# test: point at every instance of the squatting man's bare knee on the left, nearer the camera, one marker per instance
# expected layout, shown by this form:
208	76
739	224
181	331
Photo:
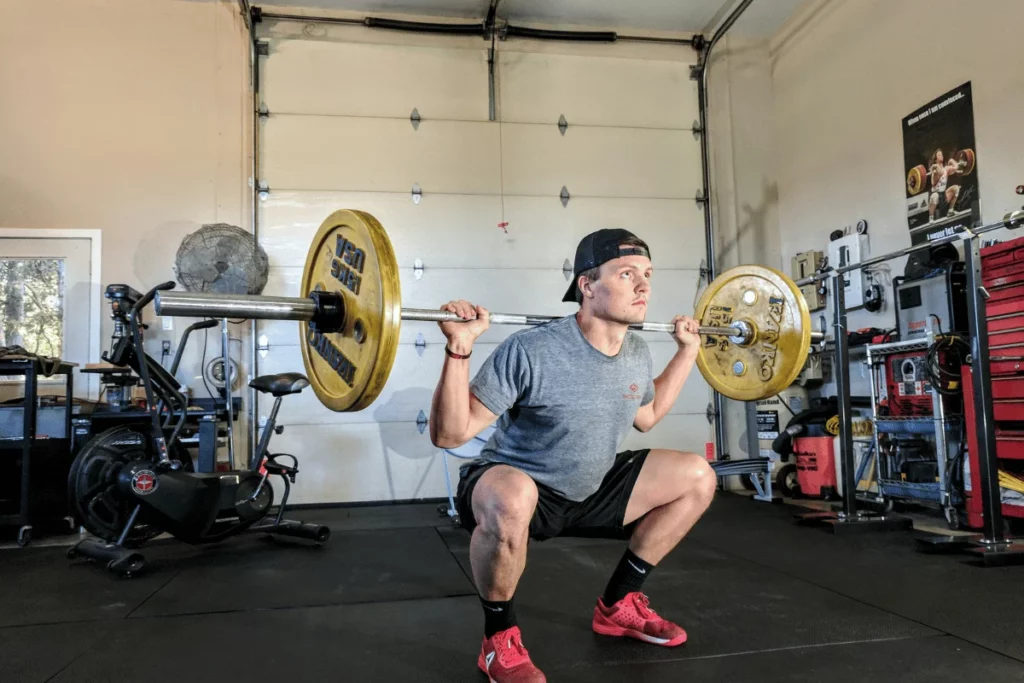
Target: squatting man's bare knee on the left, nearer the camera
504	501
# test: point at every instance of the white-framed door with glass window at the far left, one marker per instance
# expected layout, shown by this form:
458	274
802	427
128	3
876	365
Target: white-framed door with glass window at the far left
47	306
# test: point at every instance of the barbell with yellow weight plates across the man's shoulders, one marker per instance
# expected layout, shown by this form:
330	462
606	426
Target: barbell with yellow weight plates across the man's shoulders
754	320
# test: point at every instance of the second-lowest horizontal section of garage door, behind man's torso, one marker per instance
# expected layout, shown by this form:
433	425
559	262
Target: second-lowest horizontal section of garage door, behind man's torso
411	387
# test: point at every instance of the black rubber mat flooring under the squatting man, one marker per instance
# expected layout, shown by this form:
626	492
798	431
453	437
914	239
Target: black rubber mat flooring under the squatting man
389	599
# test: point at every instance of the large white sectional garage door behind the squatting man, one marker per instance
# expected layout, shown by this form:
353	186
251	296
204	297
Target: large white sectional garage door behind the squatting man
490	227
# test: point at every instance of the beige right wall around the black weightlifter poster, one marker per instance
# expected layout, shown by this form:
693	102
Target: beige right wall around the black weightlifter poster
846	73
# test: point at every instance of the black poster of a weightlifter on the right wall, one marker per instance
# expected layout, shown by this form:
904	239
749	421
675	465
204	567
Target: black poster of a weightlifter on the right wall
942	167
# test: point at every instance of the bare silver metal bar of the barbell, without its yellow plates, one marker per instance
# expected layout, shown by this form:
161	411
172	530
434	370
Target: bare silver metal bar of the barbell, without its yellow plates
193	305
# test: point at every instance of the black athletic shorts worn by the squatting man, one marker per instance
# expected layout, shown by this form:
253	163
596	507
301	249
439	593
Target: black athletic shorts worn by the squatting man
602	516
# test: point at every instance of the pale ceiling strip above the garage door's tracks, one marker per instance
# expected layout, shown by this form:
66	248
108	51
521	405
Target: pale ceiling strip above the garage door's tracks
762	18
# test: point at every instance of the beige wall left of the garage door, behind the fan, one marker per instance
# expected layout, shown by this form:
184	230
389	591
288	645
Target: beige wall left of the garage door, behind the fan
129	117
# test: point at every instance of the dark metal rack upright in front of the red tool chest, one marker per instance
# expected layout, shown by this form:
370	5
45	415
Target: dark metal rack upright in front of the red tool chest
984	414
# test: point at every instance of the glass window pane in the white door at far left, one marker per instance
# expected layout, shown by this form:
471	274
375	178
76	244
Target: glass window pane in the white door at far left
32	312
